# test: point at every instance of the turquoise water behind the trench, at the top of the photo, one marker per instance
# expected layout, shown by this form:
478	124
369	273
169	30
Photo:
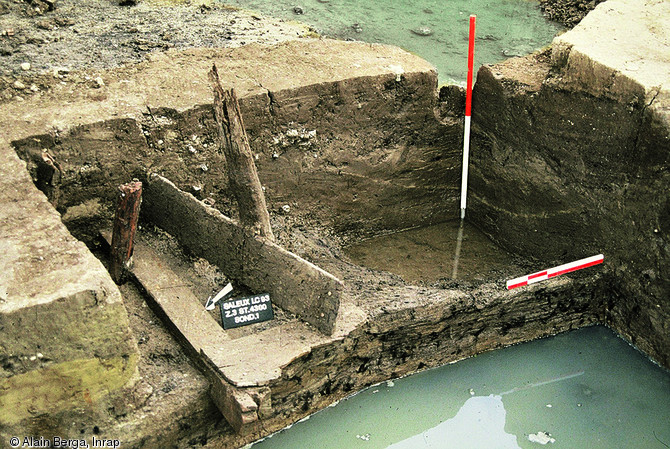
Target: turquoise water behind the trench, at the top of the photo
504	27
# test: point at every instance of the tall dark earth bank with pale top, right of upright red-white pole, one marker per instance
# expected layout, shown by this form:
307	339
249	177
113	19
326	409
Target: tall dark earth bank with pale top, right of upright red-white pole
582	141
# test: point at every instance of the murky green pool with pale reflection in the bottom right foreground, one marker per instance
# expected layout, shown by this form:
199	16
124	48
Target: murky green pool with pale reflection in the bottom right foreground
585	388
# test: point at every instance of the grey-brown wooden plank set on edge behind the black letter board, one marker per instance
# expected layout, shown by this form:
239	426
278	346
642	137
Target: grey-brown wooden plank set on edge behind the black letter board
295	284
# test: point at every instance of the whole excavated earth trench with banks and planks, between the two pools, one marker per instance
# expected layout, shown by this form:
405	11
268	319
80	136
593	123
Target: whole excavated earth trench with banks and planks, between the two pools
570	157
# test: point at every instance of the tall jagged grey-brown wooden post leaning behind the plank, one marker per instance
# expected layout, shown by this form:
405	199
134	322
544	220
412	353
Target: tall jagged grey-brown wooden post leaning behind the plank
241	168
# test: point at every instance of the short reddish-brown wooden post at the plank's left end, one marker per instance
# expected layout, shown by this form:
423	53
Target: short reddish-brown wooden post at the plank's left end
125	224
